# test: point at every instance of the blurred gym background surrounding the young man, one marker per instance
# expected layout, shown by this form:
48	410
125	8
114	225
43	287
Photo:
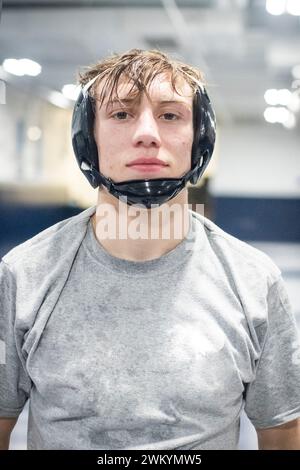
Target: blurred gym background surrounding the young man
249	51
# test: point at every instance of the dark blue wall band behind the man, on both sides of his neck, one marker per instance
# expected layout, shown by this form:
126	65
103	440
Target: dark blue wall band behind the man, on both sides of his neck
249	219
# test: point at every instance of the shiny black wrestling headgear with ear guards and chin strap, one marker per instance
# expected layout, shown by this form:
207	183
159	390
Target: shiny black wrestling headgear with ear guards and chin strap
142	191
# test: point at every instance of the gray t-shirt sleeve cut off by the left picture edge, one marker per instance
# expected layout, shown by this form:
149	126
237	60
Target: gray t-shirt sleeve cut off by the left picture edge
15	383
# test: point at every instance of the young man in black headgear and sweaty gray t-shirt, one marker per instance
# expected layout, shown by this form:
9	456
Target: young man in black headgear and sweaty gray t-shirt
140	324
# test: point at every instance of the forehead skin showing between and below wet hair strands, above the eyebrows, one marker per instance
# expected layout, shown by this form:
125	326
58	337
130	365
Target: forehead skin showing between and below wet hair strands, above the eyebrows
159	89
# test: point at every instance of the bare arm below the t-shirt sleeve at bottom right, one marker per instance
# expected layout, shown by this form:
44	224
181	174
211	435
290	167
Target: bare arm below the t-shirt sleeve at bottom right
283	437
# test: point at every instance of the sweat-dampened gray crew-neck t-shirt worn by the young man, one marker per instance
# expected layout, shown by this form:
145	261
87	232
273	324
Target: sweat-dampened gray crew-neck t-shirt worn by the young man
161	354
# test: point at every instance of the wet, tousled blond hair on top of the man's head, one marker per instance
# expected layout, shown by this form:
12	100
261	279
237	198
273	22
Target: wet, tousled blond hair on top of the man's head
139	67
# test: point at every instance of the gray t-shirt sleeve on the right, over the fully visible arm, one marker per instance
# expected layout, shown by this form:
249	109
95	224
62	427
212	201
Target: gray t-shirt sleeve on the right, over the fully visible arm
273	398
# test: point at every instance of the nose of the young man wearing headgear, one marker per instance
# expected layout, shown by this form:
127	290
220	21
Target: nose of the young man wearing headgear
146	132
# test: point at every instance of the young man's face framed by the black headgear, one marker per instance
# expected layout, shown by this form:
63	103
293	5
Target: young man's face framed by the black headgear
146	137
